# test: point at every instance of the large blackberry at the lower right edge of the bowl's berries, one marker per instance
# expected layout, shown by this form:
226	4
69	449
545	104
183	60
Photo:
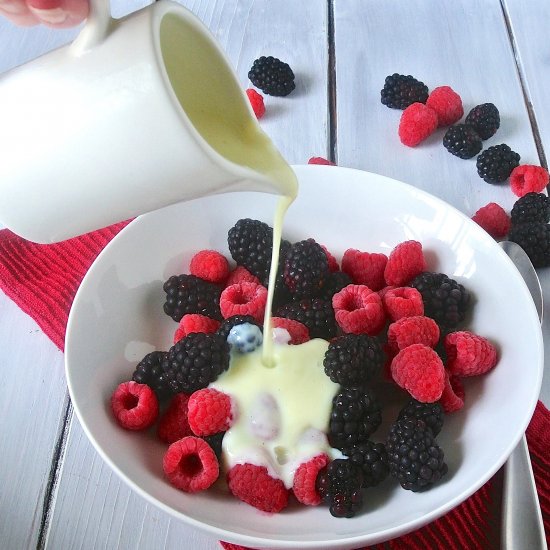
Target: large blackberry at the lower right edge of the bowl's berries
414	458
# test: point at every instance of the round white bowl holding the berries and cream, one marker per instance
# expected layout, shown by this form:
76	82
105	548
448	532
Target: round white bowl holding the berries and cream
117	317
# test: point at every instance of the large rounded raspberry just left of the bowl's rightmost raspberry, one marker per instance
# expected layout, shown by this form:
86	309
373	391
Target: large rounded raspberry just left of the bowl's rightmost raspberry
419	370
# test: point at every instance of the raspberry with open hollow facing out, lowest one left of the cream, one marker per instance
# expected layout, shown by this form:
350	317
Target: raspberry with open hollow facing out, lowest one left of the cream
191	465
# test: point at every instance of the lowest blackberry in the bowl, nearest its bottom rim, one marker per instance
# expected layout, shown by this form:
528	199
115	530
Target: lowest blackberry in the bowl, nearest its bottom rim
339	485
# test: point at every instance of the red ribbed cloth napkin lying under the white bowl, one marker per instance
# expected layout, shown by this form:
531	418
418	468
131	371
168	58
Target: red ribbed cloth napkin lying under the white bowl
43	279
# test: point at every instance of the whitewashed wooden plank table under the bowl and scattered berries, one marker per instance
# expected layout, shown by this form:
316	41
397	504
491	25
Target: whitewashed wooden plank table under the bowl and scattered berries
55	491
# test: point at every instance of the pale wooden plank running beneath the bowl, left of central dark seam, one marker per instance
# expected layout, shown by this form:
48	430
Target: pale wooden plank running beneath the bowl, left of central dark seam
93	508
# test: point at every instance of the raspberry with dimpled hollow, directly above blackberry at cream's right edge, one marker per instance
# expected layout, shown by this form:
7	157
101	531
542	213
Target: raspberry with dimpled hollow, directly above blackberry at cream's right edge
359	310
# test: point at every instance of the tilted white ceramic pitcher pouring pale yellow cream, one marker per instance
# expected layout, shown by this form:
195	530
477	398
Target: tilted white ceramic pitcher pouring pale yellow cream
136	114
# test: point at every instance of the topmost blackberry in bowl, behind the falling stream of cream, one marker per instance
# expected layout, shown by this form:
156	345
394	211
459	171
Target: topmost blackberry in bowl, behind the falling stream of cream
251	244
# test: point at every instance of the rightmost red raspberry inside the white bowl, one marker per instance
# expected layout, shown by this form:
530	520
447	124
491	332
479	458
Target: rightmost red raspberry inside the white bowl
469	354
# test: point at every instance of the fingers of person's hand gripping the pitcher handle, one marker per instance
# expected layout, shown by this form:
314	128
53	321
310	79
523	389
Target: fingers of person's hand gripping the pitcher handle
52	13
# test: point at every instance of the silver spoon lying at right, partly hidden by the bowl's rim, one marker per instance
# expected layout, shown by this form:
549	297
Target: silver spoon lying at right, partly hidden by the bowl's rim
522	526
